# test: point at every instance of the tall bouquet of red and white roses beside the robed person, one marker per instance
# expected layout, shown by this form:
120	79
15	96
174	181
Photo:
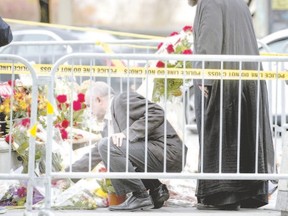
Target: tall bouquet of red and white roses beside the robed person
176	43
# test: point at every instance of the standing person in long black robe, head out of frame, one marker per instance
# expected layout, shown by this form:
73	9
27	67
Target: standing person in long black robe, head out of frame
225	27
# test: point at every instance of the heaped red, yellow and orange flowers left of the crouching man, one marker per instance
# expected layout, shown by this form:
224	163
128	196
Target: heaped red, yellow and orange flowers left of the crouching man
18	135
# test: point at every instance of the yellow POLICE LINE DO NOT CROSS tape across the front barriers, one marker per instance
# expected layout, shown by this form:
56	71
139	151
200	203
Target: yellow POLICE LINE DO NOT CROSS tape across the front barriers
112	71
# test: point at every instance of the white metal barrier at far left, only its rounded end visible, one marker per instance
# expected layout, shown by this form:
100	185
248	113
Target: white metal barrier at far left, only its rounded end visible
9	163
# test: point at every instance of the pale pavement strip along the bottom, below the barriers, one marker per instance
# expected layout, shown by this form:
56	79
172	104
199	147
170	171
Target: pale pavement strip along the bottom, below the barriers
155	212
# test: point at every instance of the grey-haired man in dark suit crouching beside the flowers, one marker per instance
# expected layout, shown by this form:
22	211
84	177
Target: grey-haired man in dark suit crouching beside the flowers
136	124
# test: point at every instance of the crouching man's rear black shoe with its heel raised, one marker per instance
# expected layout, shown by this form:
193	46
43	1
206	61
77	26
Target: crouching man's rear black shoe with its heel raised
159	196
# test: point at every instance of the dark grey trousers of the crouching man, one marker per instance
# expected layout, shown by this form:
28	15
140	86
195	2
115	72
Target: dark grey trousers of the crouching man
135	163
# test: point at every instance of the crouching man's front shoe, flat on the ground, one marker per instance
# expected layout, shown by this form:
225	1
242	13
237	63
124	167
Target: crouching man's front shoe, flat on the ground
133	203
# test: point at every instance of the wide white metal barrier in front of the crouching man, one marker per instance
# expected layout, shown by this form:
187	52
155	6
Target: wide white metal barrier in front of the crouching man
276	72
